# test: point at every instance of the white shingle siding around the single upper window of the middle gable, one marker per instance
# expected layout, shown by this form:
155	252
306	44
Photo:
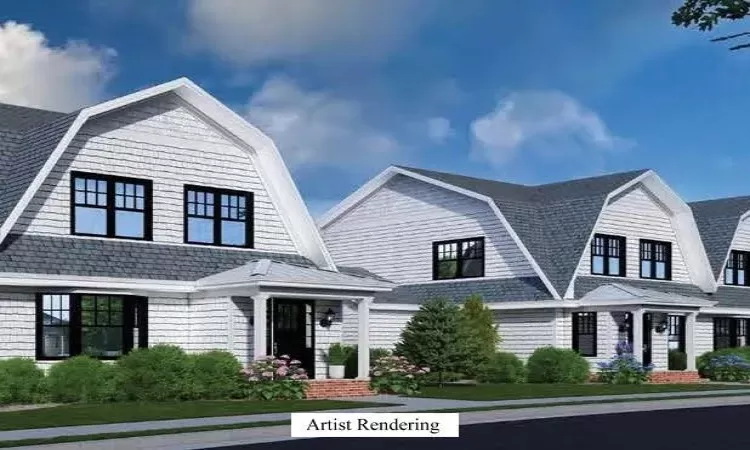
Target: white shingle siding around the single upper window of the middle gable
391	232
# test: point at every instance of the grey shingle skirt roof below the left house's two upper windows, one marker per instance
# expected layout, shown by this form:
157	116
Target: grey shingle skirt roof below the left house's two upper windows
123	259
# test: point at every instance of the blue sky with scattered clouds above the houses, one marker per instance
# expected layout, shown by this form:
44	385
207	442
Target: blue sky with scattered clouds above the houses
529	92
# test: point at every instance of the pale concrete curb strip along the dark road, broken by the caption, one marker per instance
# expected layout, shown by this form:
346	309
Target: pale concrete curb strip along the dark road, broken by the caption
248	436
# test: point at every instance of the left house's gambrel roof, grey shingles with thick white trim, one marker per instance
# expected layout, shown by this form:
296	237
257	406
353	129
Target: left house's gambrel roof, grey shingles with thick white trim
33	140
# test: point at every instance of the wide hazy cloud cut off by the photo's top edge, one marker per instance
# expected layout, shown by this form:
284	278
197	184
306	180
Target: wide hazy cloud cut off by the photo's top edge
246	32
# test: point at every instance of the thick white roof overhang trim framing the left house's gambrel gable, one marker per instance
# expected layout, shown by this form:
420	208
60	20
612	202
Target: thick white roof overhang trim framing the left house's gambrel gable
262	150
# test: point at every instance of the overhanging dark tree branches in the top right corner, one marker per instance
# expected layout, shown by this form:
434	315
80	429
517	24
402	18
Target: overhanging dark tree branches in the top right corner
706	14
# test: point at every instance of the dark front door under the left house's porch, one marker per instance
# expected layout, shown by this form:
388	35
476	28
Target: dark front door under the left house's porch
292	331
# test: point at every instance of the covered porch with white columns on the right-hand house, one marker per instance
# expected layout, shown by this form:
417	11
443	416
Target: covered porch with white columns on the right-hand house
652	322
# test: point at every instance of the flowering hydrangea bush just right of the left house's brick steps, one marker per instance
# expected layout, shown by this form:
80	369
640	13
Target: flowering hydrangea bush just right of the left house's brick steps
396	375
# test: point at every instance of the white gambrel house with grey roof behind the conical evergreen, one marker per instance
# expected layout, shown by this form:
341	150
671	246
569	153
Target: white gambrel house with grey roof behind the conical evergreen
580	264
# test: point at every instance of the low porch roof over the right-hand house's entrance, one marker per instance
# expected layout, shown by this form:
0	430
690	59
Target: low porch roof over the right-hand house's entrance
623	294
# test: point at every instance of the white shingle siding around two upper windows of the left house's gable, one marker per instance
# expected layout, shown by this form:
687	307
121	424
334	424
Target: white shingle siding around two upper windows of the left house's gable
164	141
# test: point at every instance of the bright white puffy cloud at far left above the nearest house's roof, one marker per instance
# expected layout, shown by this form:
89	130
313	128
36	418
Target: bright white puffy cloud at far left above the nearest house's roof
59	78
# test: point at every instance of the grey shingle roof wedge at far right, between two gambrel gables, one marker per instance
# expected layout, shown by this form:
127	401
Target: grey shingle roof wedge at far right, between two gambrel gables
717	222
